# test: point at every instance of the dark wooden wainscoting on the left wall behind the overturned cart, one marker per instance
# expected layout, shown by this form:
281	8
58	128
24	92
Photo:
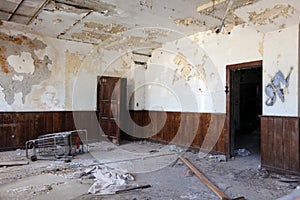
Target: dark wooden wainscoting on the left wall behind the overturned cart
18	127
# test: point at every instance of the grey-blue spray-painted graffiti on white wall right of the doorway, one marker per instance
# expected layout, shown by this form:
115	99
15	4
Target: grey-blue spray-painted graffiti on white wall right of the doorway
277	87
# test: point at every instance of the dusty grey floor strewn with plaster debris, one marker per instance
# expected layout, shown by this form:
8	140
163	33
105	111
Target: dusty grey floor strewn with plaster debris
150	164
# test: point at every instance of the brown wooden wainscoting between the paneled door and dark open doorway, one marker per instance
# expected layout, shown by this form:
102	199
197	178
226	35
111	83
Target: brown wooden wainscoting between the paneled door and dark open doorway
182	128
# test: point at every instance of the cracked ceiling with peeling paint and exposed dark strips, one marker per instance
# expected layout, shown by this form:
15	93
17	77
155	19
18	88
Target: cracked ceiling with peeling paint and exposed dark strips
155	21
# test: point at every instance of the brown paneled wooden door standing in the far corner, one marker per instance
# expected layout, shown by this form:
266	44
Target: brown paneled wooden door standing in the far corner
111	106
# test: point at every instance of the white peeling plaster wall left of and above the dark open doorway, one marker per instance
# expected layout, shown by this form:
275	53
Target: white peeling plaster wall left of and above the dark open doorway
189	74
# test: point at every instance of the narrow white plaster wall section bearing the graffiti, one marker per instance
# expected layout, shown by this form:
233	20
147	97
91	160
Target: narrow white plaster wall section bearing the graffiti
281	54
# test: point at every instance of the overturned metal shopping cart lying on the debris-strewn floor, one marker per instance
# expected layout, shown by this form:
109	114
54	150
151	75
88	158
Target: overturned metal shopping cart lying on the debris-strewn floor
60	145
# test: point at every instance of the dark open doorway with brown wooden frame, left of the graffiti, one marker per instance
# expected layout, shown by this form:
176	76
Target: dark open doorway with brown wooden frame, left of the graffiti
244	106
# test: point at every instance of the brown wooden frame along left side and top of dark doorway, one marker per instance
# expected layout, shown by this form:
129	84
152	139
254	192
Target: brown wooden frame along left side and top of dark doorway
227	131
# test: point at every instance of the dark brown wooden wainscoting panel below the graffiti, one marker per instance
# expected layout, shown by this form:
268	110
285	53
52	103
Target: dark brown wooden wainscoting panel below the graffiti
280	144
